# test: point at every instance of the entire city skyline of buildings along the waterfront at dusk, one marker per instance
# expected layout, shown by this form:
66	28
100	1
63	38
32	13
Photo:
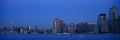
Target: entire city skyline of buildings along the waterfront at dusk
103	25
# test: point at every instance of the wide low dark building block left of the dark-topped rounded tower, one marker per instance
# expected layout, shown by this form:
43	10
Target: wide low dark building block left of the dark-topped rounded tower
86	28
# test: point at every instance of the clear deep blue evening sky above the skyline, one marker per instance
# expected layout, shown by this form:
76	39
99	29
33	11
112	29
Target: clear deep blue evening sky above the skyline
42	12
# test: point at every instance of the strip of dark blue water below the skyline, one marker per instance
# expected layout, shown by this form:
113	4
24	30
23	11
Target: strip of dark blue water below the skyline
59	36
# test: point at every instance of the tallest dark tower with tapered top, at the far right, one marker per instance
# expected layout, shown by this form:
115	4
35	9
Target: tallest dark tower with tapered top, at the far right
113	19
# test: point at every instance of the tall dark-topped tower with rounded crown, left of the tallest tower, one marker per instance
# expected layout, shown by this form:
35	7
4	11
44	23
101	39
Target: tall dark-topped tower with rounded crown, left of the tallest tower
102	23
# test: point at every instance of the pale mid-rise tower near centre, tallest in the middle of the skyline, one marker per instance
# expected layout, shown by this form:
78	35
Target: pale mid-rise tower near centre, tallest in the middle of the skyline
58	25
